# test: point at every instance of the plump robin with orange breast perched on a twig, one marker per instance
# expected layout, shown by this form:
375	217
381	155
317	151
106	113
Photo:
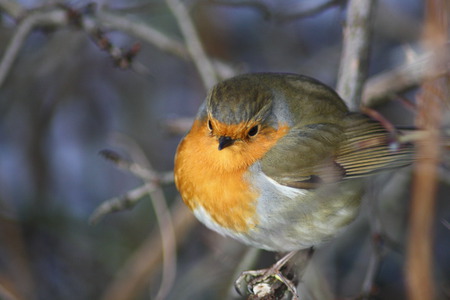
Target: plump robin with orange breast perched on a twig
278	162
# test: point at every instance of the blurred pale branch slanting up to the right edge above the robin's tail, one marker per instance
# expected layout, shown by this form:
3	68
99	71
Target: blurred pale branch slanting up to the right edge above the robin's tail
386	86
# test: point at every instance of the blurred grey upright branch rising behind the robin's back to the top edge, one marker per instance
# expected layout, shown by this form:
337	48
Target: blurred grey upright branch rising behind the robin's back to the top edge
355	51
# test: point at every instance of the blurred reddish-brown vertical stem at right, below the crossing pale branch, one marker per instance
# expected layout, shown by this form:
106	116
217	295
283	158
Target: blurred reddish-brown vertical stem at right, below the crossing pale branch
419	259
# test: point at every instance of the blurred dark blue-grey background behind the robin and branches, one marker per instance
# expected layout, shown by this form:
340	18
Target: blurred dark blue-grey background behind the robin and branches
64	100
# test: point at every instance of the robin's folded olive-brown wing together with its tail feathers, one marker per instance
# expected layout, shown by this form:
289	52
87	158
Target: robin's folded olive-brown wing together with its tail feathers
318	153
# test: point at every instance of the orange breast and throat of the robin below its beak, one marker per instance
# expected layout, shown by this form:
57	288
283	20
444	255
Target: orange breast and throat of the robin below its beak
214	179
